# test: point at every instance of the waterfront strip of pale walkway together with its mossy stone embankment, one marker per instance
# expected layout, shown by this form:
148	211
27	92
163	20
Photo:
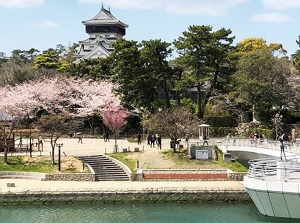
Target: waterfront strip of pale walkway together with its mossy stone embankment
33	192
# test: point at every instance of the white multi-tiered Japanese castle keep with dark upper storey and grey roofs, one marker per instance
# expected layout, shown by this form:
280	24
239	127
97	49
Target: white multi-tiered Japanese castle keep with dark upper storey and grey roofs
104	29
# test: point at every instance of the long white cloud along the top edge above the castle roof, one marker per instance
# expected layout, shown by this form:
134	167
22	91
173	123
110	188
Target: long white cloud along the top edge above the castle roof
181	7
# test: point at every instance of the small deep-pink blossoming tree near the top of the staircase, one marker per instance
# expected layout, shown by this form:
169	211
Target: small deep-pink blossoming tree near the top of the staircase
115	118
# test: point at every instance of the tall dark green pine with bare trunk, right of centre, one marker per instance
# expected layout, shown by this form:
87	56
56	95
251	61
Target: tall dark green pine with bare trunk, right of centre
203	55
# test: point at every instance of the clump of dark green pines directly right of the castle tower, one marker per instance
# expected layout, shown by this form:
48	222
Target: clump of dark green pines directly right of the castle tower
143	73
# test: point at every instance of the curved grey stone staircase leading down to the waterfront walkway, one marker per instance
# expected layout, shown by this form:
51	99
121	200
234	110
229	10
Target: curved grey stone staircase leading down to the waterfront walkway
105	168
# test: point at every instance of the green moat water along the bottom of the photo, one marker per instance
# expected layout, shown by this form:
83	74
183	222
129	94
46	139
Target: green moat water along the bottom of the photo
144	213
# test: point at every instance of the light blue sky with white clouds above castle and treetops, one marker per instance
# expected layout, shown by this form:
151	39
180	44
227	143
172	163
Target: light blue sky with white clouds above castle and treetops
43	24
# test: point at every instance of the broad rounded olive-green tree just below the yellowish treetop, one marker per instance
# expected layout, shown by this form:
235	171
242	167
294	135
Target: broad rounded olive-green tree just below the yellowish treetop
265	83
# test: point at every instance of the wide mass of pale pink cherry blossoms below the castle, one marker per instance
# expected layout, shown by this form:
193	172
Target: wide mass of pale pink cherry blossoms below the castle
75	97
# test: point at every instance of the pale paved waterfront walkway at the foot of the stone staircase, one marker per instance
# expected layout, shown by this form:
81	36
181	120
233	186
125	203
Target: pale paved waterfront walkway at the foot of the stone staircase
22	185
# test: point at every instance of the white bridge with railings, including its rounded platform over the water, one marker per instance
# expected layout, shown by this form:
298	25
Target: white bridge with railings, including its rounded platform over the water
273	180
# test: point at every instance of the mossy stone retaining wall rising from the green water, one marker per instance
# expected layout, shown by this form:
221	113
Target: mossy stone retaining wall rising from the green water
118	197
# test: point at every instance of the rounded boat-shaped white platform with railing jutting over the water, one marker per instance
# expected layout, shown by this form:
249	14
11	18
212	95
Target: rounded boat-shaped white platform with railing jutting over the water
274	186
